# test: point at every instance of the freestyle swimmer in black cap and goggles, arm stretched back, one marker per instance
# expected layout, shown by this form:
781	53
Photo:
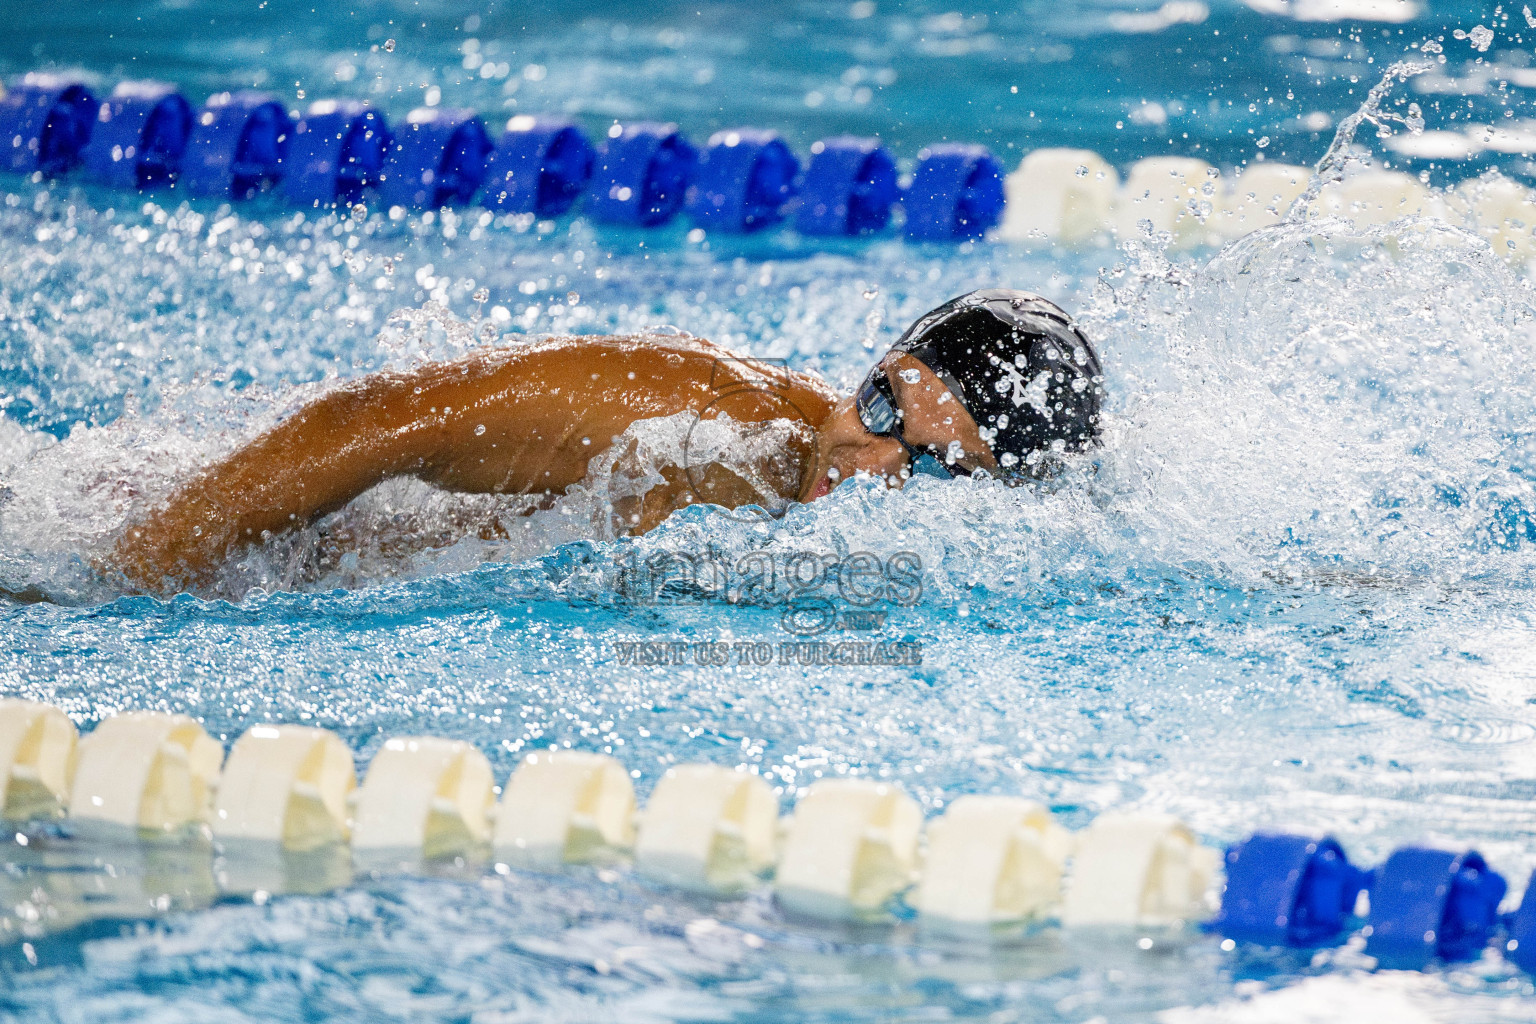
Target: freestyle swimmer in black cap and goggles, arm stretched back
996	382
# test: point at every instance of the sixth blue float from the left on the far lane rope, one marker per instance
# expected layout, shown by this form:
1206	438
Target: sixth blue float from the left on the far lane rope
541	167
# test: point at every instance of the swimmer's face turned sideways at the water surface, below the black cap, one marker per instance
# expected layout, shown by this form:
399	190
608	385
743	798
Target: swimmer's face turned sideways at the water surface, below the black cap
932	418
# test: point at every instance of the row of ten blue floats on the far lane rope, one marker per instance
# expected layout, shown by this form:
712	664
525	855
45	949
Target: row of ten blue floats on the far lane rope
342	151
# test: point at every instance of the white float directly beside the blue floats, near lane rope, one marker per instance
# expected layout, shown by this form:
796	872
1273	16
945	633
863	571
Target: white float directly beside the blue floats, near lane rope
1139	870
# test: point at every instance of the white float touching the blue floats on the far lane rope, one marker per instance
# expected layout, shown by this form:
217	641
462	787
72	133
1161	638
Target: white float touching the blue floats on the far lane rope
1064	196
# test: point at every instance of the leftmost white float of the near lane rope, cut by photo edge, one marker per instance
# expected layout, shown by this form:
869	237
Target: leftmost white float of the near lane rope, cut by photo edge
38	751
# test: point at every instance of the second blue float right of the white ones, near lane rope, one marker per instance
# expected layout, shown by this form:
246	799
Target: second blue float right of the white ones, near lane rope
1432	903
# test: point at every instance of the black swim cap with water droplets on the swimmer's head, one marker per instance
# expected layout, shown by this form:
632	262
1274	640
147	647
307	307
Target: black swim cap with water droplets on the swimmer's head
1022	369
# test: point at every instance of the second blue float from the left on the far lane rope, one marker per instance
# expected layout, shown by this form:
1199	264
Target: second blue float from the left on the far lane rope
141	137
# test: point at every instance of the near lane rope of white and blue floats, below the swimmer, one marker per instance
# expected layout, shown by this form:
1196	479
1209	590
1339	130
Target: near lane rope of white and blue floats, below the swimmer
853	850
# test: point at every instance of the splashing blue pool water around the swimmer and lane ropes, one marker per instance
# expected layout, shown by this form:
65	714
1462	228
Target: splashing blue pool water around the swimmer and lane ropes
1293	590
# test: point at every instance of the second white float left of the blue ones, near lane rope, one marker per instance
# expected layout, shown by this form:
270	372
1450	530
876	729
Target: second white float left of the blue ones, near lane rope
991	860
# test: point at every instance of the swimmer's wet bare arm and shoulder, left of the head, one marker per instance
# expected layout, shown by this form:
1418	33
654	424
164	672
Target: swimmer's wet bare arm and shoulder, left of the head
503	423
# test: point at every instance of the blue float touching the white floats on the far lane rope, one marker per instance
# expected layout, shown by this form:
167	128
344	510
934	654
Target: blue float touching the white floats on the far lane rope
956	194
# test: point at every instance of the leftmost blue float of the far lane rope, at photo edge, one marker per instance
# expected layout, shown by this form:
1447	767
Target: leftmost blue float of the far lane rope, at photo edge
45	122
